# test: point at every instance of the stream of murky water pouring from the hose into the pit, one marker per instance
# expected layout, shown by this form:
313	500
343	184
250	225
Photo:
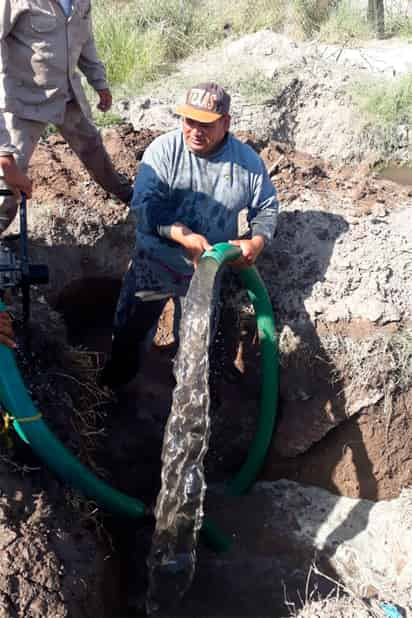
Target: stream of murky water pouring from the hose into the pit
179	508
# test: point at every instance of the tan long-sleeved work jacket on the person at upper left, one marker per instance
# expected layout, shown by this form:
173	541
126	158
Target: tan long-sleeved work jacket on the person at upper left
40	52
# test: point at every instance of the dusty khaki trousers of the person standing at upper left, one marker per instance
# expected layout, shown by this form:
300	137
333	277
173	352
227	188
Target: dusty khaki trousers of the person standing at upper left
85	140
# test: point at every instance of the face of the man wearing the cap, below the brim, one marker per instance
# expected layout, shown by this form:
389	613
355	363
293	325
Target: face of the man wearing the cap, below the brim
203	138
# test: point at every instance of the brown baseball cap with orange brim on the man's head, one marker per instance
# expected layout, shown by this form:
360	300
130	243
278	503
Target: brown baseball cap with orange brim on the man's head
205	102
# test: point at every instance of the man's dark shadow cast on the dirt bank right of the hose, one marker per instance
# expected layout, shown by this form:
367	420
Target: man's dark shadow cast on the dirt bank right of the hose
313	427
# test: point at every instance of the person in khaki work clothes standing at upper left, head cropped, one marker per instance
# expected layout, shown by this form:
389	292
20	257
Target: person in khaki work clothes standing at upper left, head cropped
42	44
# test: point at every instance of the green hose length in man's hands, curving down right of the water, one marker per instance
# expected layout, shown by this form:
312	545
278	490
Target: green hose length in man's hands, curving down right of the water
223	253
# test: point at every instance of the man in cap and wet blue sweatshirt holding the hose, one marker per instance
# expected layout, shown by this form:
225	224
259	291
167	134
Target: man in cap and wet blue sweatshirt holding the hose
196	186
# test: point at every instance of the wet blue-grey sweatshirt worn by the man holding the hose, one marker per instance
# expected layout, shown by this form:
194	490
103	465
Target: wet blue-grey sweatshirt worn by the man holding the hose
224	196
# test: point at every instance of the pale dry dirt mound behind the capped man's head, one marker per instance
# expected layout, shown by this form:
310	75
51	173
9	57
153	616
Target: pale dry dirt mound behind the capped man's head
296	93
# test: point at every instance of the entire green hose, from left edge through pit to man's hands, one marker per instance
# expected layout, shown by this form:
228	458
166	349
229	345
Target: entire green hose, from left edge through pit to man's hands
33	430
